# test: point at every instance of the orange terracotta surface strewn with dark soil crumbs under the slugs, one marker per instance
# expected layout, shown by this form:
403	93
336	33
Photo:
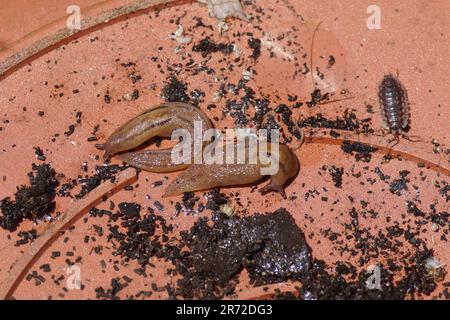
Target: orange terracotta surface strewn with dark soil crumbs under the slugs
358	202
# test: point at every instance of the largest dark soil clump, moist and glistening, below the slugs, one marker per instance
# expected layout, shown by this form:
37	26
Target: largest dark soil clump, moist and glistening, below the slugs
271	247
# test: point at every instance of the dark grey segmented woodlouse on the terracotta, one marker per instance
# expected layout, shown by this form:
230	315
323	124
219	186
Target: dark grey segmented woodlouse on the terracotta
394	105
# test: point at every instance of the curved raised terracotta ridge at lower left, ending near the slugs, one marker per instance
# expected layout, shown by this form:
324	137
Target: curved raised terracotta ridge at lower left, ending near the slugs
76	210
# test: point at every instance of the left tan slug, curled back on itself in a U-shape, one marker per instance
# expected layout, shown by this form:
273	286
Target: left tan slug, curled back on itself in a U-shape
160	121
